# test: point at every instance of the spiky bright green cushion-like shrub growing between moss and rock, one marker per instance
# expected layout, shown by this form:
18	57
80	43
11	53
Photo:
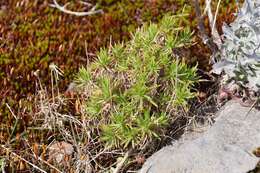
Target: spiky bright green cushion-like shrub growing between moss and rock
134	89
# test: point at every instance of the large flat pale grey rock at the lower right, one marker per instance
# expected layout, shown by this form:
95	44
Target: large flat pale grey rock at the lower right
226	147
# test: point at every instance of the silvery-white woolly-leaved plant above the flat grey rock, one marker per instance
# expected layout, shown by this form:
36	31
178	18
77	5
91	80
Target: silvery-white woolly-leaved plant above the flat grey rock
240	52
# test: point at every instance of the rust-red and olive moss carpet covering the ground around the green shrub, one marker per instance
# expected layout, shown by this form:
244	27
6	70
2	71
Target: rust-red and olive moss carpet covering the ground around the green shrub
33	35
